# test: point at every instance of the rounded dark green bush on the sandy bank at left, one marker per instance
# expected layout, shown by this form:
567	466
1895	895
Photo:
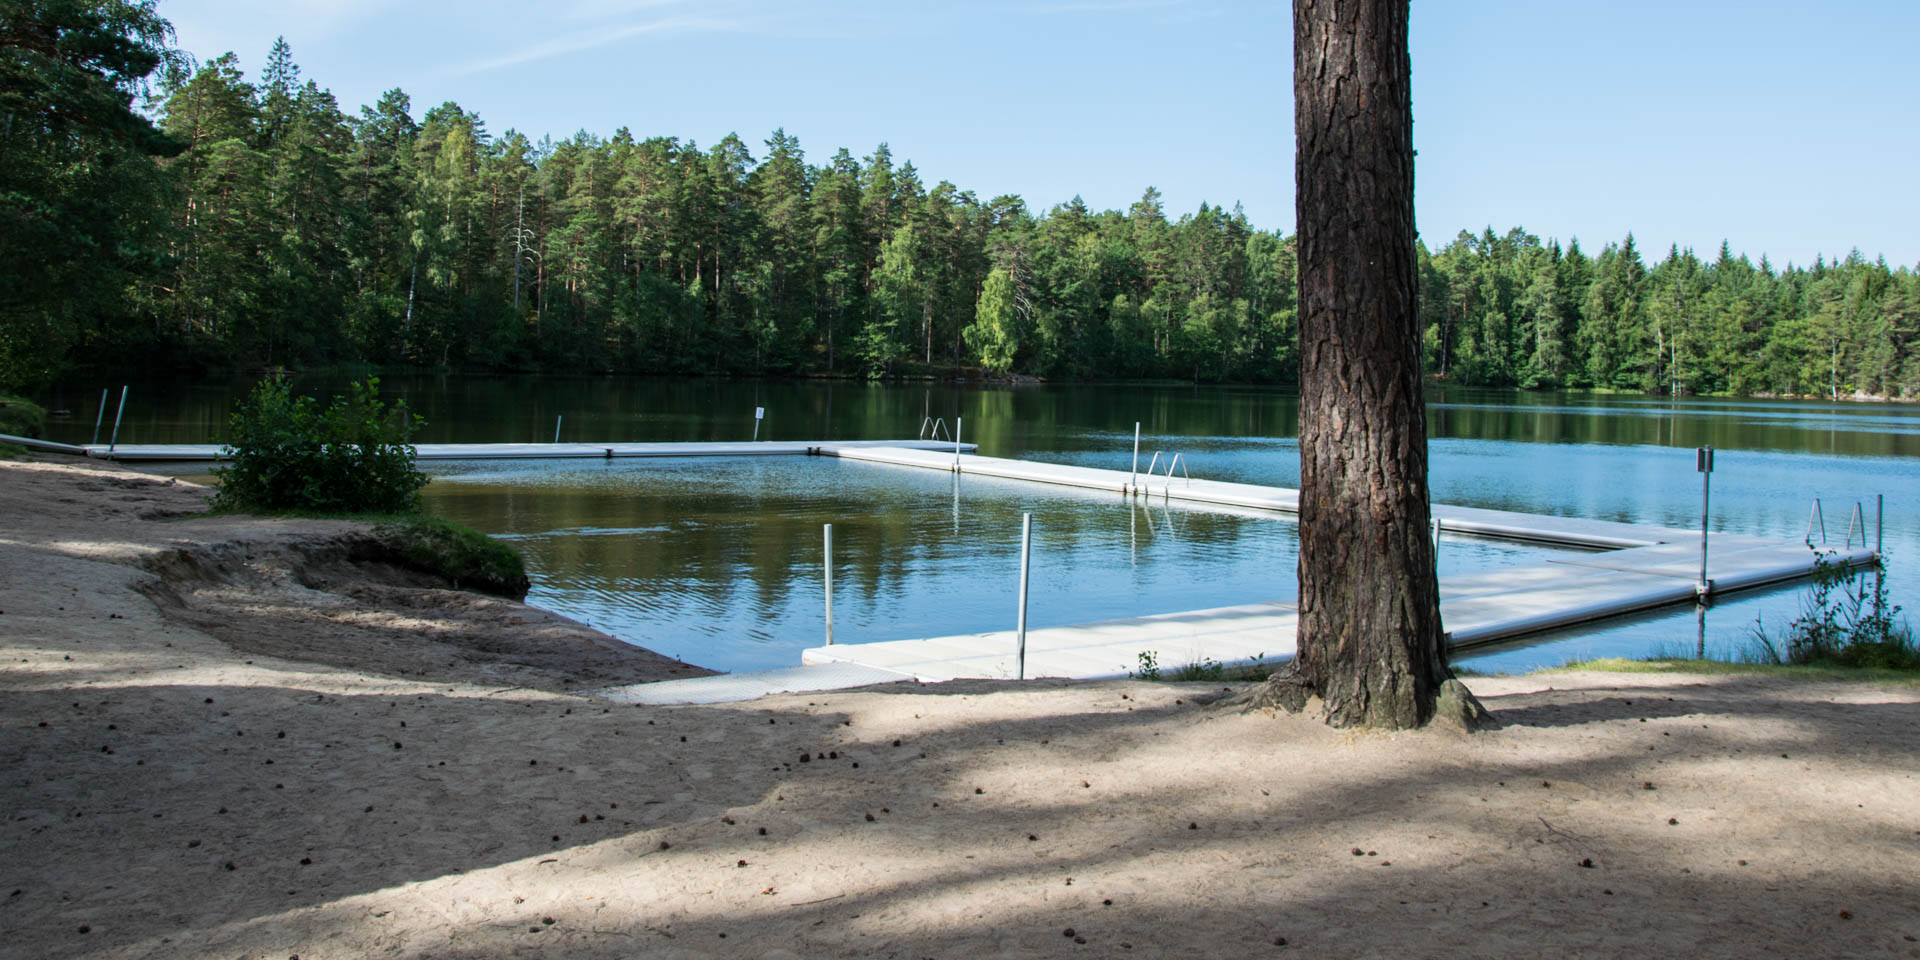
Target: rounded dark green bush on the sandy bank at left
291	454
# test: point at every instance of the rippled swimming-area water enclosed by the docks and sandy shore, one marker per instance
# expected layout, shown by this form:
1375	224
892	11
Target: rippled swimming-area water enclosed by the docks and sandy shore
719	560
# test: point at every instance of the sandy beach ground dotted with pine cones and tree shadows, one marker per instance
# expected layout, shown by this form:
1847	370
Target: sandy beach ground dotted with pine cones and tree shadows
226	738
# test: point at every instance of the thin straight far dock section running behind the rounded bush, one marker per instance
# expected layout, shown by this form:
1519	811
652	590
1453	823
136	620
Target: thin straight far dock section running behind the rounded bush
550	452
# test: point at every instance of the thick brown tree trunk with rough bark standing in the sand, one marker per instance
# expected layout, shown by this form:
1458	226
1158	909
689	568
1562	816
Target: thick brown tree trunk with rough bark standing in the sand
1370	640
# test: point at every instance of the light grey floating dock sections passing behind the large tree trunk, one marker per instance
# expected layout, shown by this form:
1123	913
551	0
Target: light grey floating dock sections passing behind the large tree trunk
1637	567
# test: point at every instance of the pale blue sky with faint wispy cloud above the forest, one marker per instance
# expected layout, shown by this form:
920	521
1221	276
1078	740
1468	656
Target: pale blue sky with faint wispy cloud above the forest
1785	130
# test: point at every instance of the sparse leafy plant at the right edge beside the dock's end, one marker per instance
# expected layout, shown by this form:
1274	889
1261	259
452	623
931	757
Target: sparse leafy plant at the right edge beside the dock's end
1846	621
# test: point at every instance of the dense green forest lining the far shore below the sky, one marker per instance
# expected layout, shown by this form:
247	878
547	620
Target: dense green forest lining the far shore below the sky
166	214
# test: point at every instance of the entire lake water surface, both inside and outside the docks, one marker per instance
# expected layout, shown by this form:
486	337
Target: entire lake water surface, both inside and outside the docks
719	560
